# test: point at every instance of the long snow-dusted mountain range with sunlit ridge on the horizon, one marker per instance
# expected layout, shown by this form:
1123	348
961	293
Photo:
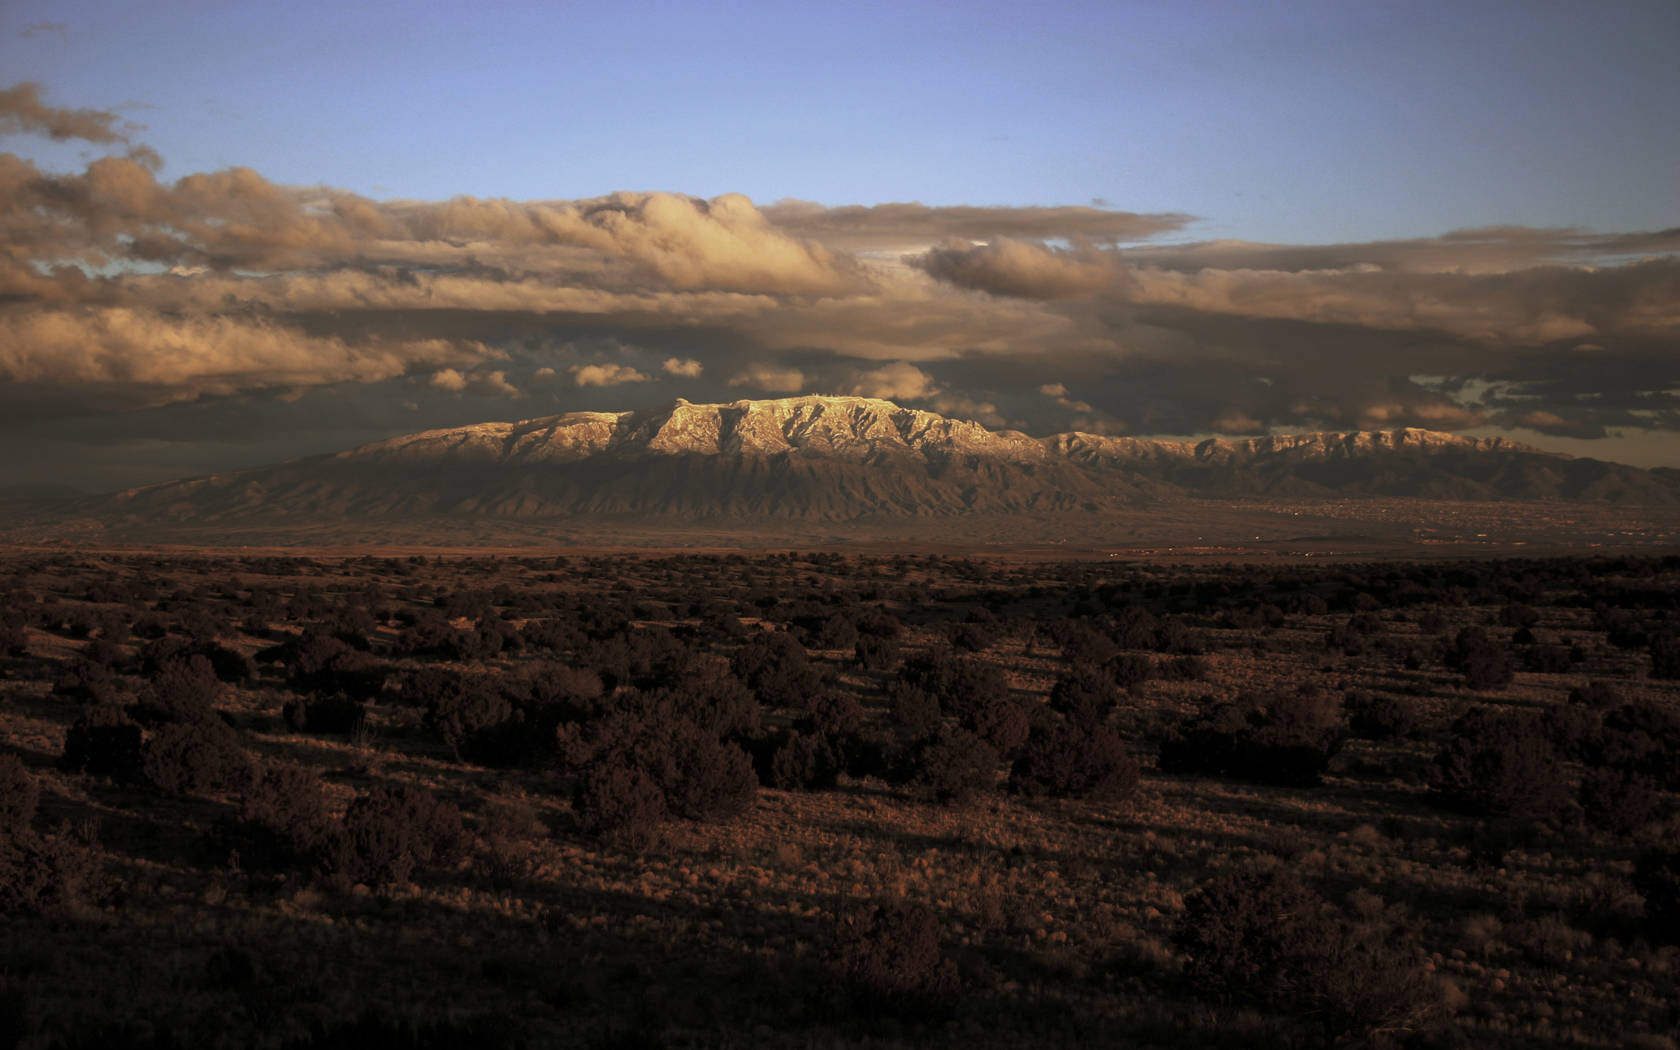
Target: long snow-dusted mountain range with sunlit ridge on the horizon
829	461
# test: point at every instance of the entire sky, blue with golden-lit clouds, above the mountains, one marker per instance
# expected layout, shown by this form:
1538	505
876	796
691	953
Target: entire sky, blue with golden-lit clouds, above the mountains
246	233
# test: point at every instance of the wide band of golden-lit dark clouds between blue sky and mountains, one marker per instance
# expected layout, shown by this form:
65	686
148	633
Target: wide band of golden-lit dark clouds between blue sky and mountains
122	293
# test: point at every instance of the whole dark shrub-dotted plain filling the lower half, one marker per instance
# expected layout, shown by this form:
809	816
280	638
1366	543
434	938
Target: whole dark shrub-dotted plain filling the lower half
814	801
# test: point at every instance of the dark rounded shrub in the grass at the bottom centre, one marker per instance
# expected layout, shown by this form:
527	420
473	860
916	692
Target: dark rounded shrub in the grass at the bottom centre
888	957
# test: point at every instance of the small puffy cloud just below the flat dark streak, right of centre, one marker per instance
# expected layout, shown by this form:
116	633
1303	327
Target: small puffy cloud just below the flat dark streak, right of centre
1017	268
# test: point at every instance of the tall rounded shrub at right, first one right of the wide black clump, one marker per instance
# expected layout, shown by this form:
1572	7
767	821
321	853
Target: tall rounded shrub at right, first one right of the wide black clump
1499	765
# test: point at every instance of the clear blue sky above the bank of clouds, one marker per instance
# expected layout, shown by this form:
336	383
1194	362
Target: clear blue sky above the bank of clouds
1271	122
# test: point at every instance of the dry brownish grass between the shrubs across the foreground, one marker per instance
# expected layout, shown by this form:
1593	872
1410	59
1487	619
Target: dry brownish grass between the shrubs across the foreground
1058	913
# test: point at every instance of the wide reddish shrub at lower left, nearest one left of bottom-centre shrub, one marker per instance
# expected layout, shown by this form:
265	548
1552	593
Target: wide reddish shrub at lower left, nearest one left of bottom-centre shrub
391	832
